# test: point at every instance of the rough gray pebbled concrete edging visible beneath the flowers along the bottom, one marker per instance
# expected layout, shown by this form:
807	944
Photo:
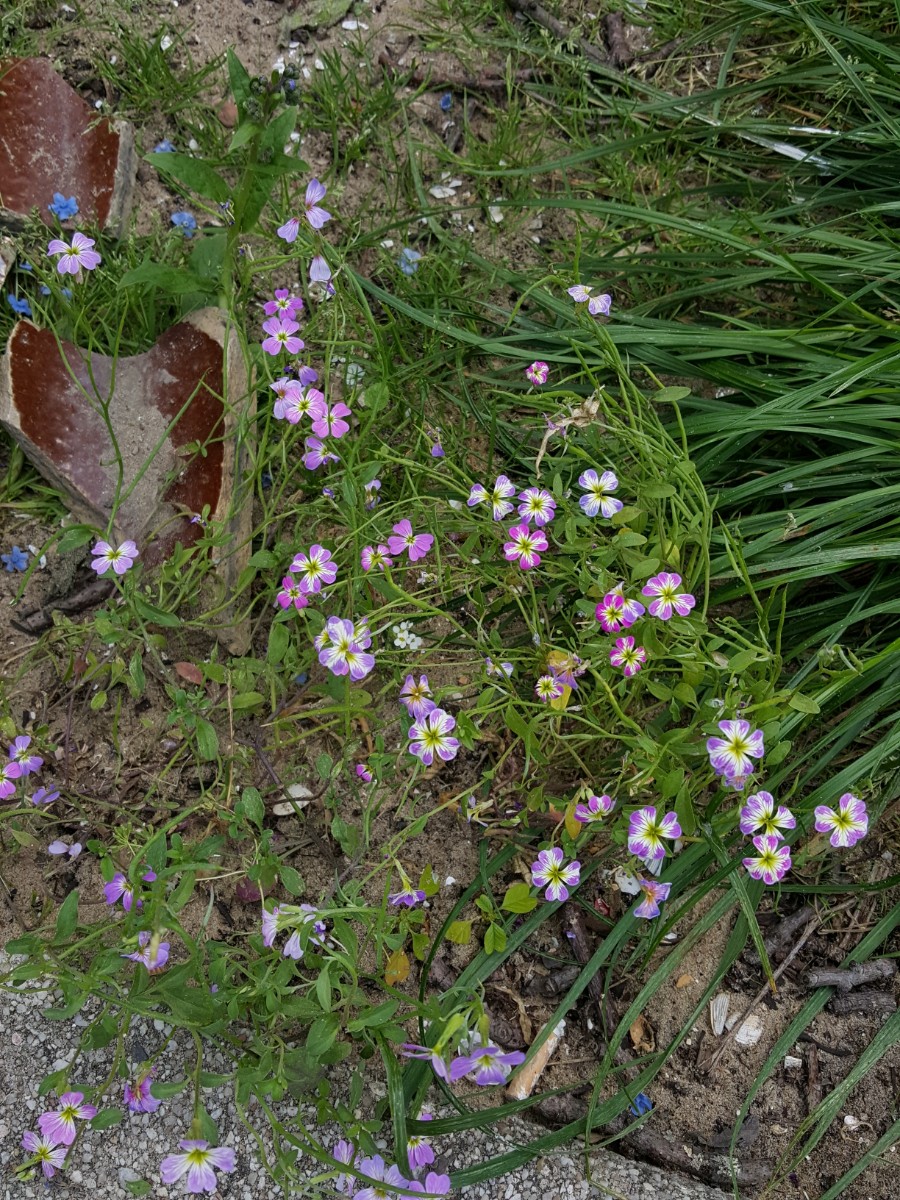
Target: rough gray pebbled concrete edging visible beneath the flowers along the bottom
105	1161
